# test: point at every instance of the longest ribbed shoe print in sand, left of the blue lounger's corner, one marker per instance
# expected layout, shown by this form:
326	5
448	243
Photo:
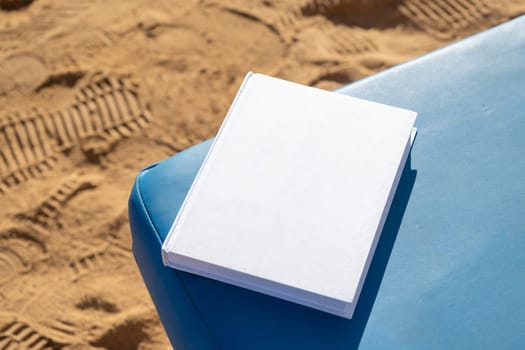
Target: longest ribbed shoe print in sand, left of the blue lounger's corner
102	113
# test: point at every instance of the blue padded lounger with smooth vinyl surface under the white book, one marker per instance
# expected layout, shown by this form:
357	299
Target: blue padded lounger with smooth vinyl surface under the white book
449	269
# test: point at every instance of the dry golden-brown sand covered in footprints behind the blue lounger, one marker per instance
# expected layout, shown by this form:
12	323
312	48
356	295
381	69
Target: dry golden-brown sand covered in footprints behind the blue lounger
91	92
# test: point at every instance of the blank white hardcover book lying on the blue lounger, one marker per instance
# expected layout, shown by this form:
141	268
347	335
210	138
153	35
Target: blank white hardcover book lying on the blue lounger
293	194
